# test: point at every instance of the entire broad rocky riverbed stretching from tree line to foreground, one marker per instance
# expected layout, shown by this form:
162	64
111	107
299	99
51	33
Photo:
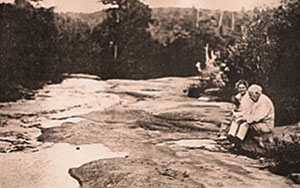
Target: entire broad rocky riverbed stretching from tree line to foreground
120	133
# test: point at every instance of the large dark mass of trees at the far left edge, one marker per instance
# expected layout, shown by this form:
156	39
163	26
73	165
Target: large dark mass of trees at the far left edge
28	45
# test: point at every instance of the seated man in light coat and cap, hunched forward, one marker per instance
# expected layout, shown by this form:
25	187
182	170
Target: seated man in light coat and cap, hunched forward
256	114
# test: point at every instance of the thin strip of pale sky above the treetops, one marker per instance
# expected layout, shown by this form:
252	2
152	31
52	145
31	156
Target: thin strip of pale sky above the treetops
88	6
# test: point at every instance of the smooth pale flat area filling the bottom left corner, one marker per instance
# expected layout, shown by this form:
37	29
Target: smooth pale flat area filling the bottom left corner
48	168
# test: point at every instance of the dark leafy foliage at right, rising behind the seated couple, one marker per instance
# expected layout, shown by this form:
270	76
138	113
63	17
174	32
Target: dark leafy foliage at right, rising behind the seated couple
269	55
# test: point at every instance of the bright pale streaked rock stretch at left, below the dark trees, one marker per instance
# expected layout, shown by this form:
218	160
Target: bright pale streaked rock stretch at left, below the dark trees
22	121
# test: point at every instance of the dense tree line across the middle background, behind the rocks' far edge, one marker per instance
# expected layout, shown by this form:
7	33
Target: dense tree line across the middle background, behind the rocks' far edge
167	43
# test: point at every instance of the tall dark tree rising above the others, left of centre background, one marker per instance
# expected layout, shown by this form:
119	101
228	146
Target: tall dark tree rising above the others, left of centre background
127	48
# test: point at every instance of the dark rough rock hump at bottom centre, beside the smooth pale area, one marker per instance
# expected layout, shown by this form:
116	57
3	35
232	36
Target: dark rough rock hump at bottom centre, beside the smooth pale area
130	173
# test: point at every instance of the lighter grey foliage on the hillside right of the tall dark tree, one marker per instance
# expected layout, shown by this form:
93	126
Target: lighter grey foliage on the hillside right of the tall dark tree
171	23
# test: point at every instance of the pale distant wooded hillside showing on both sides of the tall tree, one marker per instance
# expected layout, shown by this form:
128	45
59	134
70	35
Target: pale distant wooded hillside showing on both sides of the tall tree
165	18
